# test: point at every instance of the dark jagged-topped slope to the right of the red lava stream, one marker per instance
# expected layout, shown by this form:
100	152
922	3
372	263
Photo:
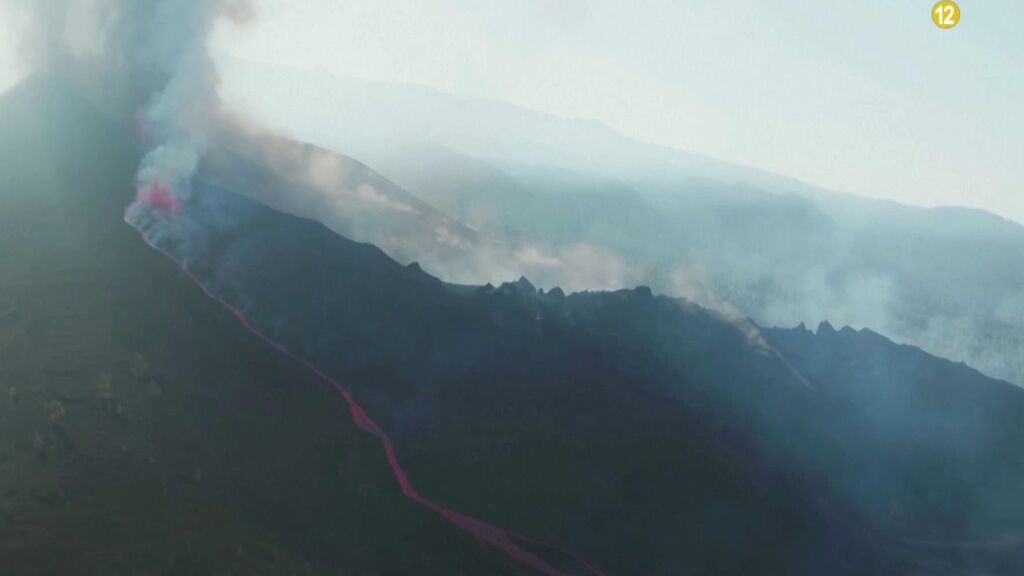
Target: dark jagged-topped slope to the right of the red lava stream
648	434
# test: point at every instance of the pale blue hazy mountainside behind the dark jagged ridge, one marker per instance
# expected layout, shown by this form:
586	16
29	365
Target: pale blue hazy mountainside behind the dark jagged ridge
580	207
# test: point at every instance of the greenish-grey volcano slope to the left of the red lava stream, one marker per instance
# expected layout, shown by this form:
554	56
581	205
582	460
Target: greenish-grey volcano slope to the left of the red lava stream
142	429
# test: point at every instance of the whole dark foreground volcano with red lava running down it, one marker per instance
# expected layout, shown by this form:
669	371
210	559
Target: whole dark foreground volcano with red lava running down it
280	399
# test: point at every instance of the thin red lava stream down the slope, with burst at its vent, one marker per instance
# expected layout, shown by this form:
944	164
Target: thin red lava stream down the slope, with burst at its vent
159	197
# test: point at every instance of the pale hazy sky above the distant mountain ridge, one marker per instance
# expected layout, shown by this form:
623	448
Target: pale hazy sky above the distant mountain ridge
866	97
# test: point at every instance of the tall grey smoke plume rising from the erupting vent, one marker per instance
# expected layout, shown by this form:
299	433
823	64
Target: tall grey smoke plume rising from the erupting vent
144	62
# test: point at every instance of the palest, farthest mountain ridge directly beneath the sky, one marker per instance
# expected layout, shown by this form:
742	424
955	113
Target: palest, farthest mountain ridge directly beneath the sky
498	133
